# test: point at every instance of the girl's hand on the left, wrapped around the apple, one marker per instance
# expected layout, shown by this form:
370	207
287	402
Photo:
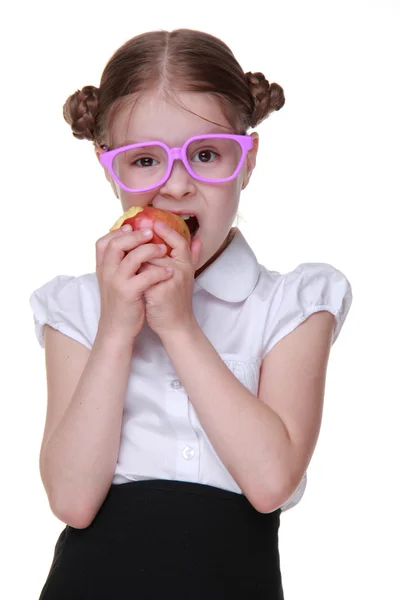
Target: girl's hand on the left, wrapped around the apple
119	255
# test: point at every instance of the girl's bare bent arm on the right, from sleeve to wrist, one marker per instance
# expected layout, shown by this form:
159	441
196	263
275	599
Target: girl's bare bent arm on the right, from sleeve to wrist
265	442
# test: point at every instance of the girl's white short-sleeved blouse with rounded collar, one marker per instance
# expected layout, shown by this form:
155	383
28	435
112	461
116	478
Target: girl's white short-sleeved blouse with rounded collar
244	310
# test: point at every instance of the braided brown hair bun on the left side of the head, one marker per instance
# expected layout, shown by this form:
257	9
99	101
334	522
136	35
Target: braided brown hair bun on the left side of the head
80	111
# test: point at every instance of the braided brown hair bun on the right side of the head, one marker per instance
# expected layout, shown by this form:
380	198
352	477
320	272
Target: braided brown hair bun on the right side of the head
267	97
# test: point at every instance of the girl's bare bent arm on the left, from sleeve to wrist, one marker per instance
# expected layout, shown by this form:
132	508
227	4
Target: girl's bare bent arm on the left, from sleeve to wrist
86	394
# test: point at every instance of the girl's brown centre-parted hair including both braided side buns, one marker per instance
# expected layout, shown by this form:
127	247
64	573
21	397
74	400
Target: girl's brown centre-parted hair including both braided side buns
183	60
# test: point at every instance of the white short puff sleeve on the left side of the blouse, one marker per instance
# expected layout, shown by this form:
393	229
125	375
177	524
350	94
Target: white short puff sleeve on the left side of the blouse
66	303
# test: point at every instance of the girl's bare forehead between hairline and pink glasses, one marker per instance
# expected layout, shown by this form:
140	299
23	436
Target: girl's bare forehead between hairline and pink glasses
172	120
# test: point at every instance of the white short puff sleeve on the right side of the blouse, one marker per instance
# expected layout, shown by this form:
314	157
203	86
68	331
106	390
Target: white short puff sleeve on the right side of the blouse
310	288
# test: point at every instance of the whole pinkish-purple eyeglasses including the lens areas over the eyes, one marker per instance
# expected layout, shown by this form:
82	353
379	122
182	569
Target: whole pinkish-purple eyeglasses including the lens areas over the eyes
214	158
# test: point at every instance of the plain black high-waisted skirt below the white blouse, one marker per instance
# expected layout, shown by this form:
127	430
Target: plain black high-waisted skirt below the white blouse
169	539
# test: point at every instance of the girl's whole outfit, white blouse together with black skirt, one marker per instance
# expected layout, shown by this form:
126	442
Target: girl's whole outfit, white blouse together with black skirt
175	523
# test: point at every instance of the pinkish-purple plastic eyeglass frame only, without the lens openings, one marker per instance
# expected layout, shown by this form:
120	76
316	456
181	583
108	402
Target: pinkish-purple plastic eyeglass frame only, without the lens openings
178	153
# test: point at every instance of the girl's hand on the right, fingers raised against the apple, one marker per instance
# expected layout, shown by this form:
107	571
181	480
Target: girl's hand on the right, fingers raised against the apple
169	305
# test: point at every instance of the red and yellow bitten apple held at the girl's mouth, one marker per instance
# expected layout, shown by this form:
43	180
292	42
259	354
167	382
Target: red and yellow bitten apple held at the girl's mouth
136	215
